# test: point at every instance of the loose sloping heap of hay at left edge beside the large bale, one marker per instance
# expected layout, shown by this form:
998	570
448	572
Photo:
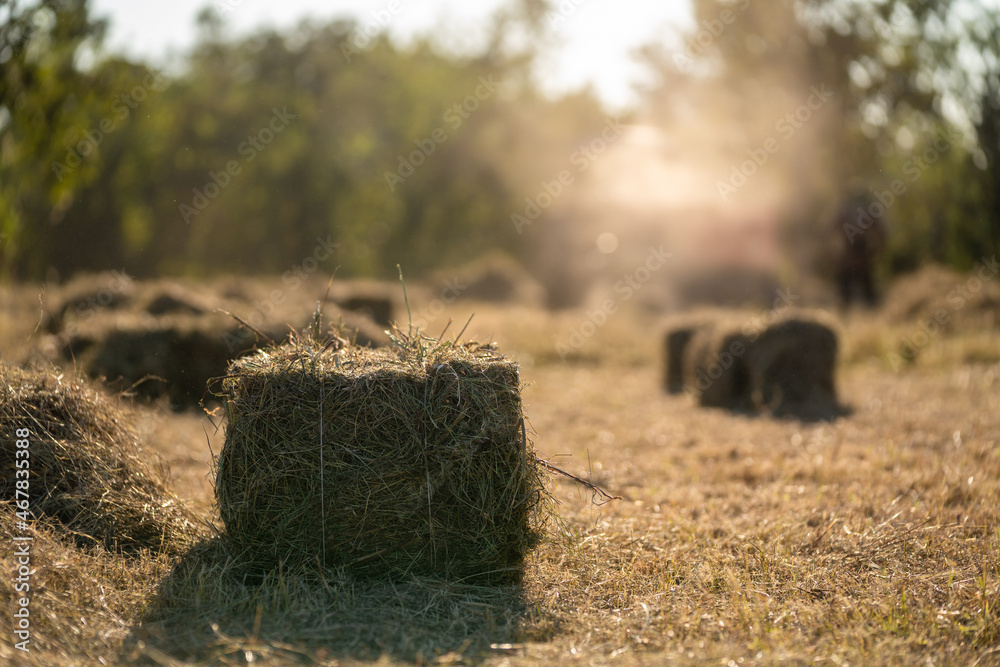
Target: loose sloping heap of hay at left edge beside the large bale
87	469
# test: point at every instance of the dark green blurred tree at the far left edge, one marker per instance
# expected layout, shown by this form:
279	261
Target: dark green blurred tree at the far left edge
45	102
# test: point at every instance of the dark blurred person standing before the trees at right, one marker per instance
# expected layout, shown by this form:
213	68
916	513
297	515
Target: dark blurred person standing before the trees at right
858	222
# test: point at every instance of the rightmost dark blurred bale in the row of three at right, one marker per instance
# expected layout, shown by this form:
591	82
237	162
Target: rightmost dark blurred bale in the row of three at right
791	368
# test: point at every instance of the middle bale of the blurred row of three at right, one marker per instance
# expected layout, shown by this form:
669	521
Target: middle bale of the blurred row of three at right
715	369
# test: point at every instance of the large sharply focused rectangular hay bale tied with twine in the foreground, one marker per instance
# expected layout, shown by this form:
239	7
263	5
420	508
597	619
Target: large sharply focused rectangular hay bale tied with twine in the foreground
424	467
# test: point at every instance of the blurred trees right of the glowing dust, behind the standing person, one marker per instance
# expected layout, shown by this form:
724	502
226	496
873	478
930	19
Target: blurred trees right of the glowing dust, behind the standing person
902	72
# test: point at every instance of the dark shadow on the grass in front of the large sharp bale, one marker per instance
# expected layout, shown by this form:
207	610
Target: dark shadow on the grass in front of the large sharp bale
211	607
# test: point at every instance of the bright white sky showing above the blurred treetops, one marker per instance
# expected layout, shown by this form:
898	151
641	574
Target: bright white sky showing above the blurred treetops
595	38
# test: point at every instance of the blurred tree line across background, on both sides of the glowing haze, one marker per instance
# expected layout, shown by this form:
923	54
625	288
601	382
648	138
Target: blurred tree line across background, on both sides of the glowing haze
253	147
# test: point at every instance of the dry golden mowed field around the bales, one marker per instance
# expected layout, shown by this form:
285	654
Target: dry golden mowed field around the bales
738	539
